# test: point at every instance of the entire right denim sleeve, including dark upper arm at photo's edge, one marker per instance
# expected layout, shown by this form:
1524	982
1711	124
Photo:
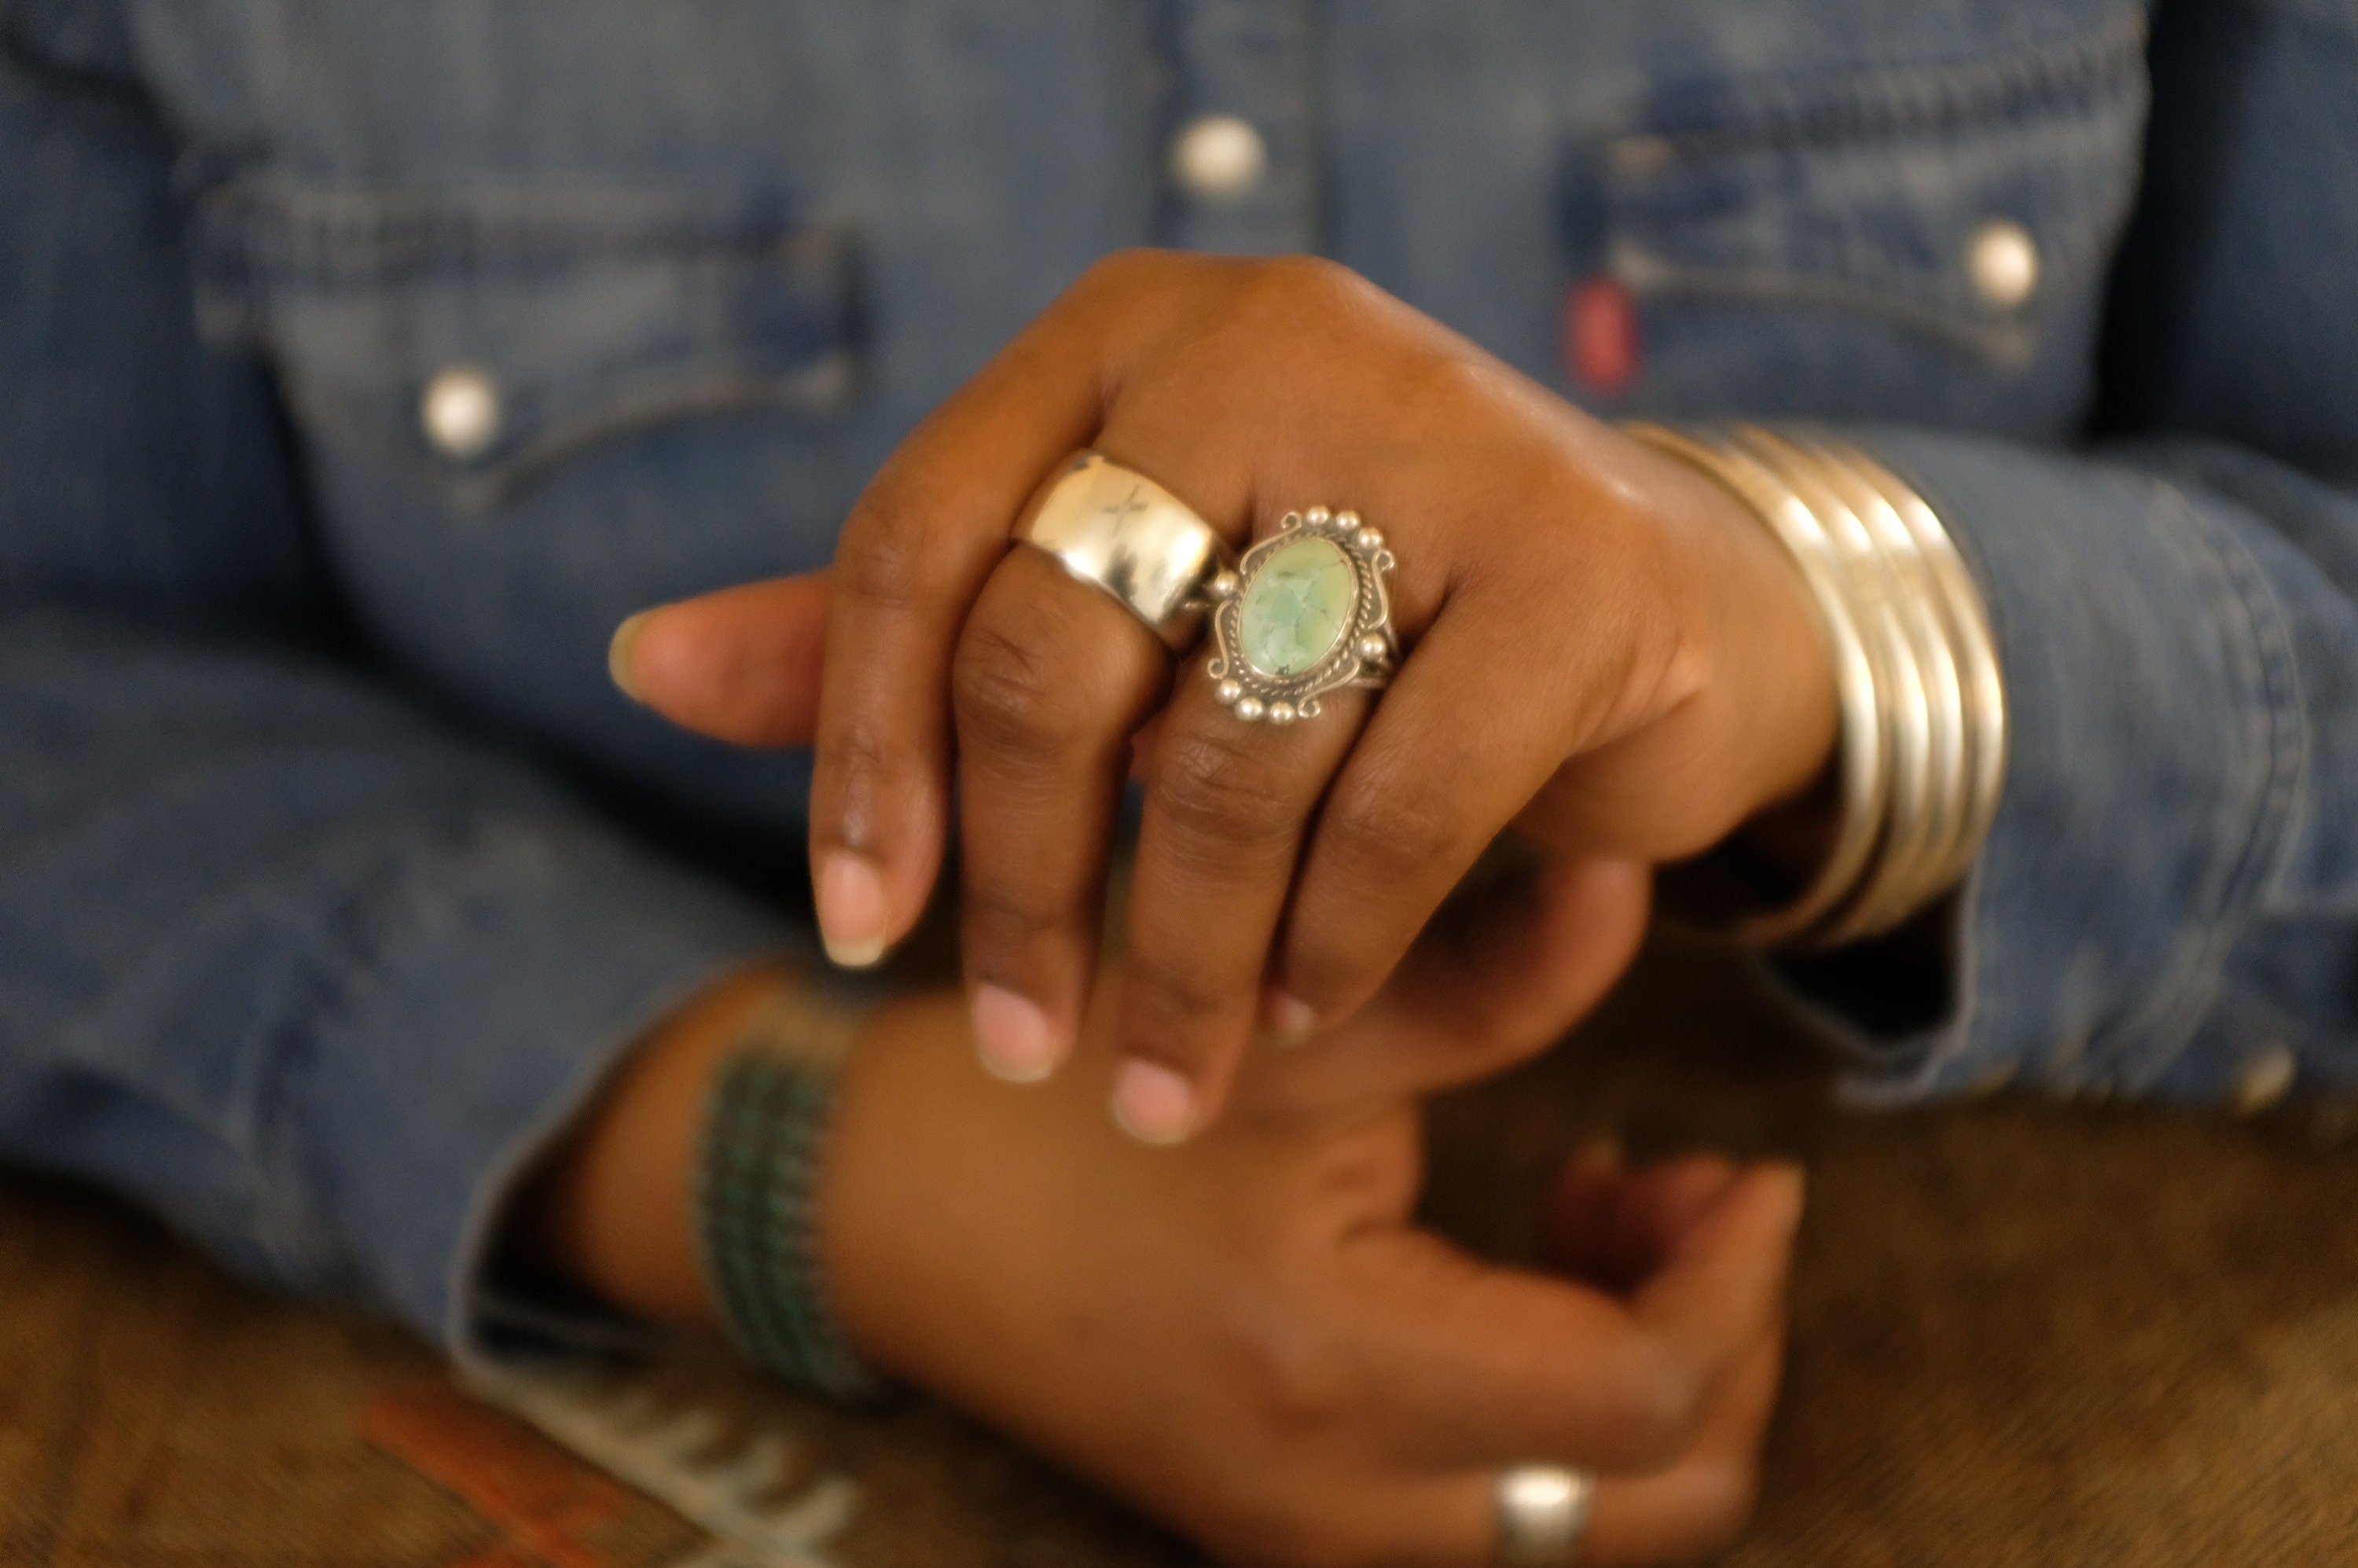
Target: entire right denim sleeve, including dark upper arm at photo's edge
2168	900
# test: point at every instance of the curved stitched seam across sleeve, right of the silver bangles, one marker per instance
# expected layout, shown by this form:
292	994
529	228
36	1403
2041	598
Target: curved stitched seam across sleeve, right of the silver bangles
2260	652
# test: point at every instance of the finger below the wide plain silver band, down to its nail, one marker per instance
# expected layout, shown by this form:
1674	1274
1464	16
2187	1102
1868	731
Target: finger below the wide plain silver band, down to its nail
1050	683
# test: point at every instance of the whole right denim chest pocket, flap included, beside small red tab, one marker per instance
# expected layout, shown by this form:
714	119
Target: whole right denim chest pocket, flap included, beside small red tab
1902	242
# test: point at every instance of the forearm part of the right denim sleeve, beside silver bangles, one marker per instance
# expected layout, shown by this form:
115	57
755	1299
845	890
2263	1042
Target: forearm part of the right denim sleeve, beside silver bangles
2168	902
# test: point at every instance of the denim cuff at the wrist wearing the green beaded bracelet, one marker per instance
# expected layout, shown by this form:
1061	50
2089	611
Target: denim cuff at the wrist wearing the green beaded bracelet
487	1034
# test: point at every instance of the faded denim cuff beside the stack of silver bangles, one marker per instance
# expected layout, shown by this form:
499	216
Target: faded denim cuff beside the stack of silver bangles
2156	758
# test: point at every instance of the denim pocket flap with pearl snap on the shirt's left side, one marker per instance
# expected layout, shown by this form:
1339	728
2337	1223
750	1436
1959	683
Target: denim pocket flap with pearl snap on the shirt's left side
480	336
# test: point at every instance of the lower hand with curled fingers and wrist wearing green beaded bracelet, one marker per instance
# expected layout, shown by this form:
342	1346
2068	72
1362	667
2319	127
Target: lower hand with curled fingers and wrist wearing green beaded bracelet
1249	1338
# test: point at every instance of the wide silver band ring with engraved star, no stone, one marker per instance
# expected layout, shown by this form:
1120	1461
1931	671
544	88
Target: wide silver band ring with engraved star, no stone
1124	534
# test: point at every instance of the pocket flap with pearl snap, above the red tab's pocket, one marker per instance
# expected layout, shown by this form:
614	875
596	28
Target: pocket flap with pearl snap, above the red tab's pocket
1965	202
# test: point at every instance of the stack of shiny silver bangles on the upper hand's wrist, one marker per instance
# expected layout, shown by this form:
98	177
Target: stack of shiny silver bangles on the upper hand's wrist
1923	744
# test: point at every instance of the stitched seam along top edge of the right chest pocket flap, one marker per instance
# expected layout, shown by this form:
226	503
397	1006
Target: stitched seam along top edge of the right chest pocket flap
1923	100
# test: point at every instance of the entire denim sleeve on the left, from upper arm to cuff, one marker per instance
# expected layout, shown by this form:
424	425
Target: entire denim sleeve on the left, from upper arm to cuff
284	956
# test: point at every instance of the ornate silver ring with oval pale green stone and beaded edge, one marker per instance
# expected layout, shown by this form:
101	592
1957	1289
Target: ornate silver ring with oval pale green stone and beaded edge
1303	614
